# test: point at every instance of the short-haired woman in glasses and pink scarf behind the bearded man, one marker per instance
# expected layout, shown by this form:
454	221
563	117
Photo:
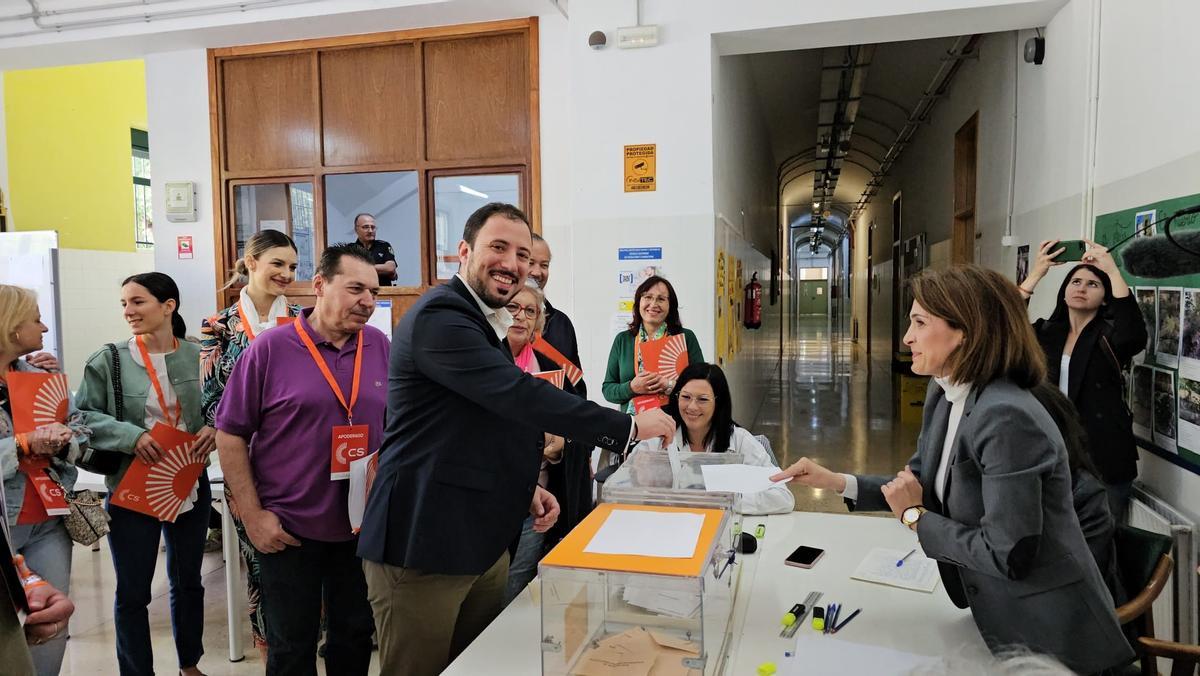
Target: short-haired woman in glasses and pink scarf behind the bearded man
529	319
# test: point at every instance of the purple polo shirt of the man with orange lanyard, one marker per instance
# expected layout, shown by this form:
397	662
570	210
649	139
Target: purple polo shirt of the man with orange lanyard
278	399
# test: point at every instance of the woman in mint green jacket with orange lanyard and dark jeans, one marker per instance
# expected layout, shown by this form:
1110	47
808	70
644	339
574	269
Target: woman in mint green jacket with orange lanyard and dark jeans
160	382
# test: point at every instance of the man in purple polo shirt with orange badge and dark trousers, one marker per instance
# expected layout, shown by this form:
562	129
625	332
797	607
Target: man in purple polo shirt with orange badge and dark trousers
283	429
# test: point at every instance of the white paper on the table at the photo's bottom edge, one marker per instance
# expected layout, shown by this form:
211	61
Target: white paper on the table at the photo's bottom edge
829	655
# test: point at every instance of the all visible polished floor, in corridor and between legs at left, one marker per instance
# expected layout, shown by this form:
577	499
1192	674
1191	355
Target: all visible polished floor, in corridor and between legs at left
832	404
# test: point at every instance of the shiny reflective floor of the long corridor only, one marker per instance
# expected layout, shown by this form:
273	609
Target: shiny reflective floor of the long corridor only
835	405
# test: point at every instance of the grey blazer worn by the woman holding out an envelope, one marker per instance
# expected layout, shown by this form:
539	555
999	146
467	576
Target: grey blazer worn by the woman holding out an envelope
1007	540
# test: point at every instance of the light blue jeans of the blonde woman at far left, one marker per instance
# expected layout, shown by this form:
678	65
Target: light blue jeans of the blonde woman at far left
47	551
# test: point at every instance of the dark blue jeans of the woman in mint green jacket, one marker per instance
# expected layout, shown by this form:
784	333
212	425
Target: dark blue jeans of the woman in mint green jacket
134	542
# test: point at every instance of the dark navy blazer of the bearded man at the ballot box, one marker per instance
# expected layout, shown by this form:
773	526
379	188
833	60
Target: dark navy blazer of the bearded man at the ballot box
461	453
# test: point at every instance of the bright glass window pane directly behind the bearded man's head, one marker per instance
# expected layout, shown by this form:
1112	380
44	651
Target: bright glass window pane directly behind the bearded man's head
455	199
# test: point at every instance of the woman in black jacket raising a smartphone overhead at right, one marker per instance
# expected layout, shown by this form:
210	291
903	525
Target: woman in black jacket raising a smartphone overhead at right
1089	342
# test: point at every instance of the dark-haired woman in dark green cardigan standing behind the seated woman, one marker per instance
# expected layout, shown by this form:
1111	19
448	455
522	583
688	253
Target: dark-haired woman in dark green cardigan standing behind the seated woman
656	315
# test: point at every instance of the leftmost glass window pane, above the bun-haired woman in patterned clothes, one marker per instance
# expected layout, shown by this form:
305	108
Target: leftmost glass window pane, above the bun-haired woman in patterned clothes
267	207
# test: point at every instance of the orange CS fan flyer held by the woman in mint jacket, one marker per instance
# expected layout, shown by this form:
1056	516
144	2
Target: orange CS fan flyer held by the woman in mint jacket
161	489
